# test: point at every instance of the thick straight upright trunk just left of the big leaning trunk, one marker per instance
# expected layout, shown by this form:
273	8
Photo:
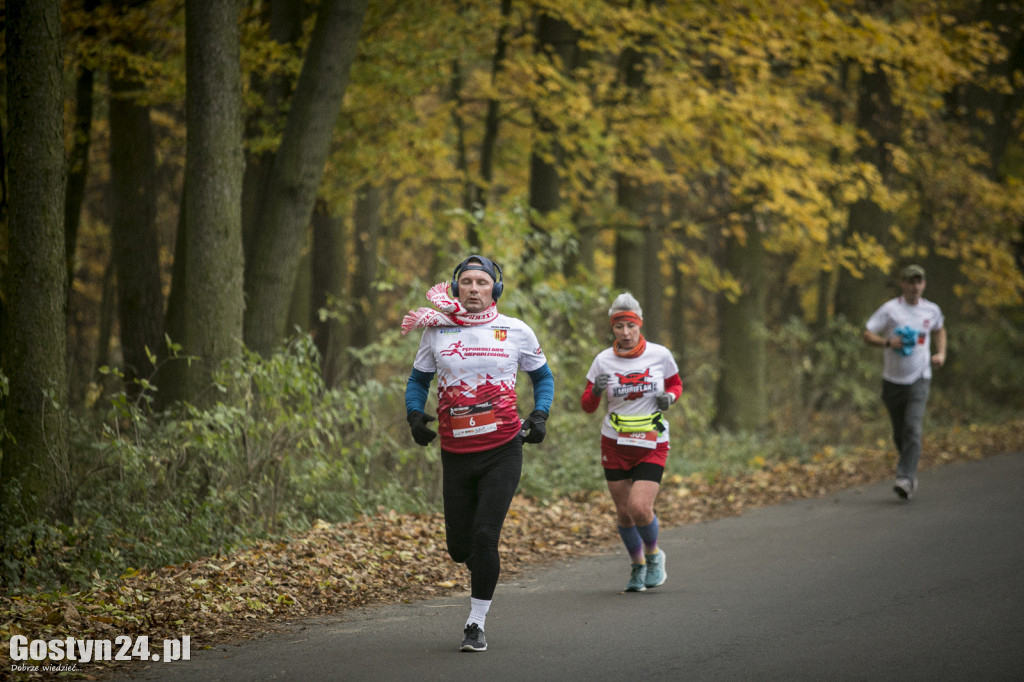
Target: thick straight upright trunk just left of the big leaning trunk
214	308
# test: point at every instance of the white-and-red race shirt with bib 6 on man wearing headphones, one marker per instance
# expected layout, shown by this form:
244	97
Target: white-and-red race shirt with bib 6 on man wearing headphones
477	369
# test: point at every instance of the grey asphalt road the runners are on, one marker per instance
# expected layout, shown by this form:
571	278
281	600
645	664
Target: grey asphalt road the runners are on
856	586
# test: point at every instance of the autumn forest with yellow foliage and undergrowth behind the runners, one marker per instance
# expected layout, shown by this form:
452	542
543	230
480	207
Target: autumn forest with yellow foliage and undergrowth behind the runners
216	218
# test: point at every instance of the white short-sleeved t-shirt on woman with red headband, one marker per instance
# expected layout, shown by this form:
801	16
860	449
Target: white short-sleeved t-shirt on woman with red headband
634	383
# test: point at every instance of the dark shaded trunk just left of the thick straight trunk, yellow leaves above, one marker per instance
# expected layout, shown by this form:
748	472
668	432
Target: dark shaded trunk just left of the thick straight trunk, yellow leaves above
134	232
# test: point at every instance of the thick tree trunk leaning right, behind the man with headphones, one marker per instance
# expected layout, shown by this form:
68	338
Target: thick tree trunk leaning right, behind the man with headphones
298	166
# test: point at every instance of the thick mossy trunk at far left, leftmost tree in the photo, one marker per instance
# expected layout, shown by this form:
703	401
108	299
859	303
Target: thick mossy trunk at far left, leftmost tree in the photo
34	478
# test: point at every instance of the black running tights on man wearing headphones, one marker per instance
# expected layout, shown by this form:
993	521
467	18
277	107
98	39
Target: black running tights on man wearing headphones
479	490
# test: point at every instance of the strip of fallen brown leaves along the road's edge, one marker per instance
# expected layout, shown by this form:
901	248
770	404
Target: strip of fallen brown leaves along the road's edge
390	558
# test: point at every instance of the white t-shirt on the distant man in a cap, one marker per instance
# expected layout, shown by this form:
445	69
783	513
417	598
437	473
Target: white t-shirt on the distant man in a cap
924	318
